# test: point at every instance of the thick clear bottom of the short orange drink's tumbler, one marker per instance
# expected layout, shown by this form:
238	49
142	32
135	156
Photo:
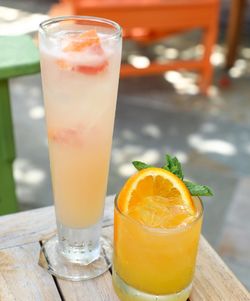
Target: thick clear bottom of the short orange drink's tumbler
129	293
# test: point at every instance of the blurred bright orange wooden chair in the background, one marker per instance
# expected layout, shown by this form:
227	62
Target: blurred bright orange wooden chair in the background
148	20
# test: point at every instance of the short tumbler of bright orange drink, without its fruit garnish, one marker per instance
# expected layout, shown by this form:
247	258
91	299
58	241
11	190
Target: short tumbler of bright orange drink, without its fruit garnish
154	263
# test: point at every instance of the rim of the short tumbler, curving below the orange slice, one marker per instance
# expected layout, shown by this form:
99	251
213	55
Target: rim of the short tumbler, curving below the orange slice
179	228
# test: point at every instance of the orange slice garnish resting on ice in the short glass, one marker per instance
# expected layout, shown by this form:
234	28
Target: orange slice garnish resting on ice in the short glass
156	198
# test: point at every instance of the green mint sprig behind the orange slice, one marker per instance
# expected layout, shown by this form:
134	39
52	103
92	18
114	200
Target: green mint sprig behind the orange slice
173	165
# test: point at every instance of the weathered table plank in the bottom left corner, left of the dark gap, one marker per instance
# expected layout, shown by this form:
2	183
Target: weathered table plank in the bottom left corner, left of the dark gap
22	279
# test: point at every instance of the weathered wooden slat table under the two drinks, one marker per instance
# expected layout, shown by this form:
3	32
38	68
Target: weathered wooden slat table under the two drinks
21	278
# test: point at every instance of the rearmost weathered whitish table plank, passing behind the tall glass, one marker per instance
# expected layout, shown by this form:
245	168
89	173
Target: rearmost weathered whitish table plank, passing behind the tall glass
39	224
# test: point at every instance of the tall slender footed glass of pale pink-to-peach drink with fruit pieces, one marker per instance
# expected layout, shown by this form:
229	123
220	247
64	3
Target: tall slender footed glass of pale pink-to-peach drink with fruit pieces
80	64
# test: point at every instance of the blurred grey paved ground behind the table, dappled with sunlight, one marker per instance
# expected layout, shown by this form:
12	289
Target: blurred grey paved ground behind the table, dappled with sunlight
155	115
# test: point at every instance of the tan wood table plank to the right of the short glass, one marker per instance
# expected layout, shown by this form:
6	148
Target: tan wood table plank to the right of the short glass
213	279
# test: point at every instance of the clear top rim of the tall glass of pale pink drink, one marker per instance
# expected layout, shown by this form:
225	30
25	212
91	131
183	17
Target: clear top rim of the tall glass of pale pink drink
117	32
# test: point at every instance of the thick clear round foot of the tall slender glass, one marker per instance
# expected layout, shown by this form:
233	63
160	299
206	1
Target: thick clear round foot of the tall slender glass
61	266
